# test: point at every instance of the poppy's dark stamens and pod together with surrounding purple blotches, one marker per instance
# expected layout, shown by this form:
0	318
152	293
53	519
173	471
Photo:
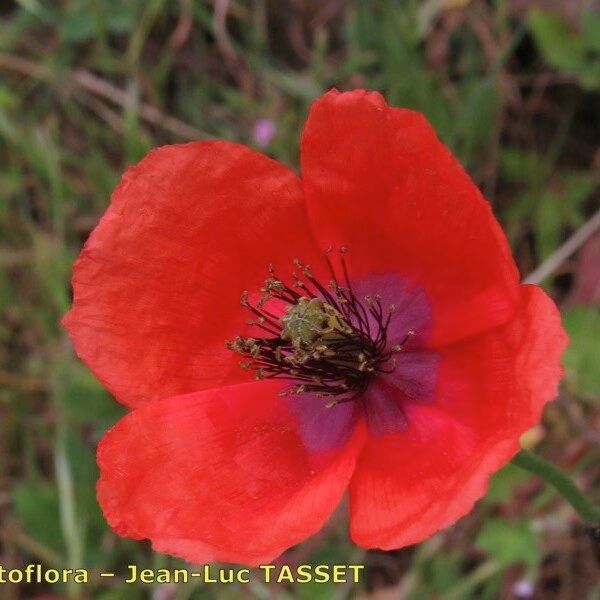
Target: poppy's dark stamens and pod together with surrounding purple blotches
351	348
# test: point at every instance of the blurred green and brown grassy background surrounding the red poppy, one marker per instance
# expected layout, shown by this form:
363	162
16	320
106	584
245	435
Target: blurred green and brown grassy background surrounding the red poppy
88	86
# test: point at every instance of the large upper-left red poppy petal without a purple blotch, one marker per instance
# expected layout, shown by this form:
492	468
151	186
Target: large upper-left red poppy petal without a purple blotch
157	287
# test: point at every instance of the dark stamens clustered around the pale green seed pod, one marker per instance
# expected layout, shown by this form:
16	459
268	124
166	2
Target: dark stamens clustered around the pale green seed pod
328	341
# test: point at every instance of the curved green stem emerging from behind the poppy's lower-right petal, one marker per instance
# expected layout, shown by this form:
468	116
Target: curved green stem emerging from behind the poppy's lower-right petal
561	482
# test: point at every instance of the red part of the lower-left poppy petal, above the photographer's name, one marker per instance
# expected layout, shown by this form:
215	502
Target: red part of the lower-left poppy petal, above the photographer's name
220	475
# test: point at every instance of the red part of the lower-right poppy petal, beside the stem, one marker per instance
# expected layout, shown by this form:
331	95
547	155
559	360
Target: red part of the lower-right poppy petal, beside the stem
490	390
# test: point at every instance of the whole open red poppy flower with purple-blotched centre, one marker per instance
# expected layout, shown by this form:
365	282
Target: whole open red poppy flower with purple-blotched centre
391	350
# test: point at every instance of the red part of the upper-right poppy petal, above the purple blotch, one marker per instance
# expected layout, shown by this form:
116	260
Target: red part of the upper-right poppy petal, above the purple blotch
379	181
